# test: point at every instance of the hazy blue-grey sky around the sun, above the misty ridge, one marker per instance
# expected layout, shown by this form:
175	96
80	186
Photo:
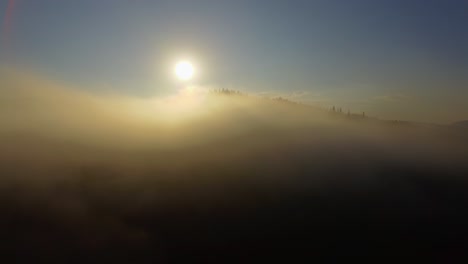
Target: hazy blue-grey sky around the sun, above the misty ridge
399	59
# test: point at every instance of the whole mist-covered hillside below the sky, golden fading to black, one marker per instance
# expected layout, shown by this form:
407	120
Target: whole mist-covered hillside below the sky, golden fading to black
210	177
